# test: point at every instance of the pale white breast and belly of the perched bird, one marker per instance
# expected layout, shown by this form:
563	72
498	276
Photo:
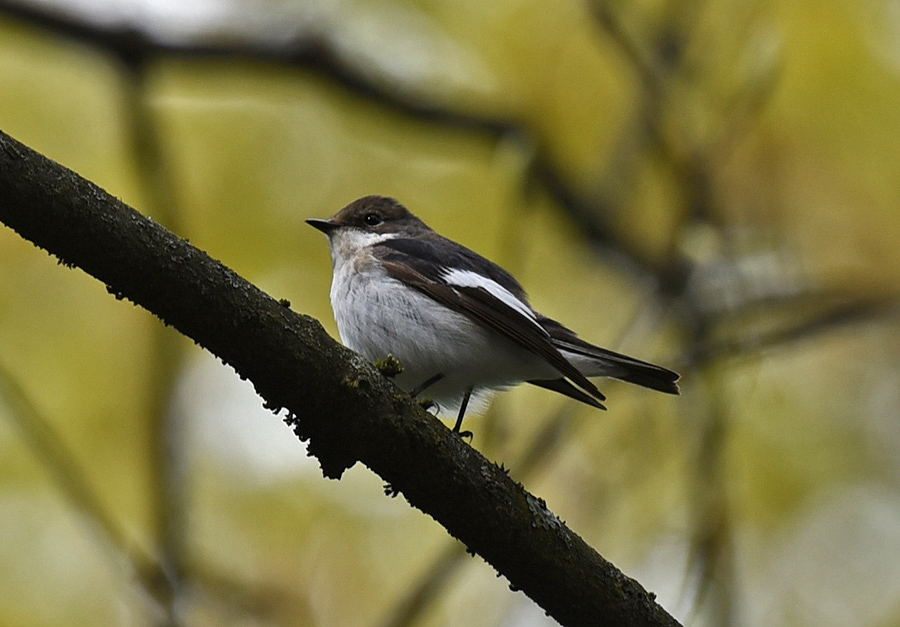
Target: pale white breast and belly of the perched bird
377	315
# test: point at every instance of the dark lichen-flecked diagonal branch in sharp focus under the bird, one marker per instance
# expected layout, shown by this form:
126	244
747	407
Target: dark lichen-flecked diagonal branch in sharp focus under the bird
336	400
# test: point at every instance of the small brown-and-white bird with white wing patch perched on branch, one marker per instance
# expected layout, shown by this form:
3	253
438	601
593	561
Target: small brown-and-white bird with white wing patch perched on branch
460	325
